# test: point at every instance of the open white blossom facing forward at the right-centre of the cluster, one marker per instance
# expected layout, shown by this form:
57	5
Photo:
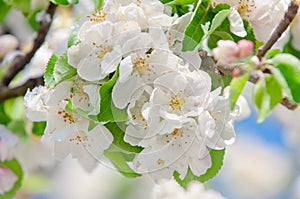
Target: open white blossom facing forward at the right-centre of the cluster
179	95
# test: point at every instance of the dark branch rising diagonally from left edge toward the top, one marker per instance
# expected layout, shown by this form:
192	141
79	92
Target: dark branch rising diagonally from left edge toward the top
20	61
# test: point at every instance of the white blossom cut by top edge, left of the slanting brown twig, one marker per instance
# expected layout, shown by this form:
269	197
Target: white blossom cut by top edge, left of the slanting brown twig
264	16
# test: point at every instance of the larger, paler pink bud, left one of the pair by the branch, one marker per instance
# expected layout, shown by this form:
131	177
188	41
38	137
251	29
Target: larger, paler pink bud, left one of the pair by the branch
227	51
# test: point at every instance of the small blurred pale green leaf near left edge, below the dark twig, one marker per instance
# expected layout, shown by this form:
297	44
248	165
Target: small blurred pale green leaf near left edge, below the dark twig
14	108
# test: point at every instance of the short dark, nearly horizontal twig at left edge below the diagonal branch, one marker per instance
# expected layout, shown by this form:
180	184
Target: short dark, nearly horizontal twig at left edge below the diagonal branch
7	93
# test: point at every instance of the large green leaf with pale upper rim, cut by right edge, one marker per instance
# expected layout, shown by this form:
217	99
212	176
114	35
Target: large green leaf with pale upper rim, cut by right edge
289	67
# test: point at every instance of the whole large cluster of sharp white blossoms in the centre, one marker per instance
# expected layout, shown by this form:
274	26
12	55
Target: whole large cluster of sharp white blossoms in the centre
173	114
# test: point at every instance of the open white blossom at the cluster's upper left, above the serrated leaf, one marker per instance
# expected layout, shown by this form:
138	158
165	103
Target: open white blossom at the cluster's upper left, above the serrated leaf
98	53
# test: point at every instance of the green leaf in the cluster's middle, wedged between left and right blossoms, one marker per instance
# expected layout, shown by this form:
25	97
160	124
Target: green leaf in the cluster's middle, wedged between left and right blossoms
108	111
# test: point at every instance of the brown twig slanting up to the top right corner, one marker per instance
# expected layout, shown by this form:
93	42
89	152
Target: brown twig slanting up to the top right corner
283	25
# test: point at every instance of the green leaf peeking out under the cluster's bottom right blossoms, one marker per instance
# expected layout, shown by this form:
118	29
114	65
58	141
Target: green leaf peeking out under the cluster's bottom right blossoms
217	157
